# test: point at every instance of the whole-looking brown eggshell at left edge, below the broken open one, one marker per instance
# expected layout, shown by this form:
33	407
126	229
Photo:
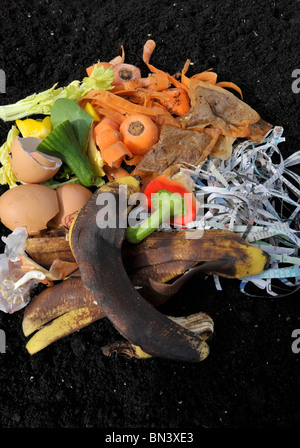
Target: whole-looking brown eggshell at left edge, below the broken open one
30	205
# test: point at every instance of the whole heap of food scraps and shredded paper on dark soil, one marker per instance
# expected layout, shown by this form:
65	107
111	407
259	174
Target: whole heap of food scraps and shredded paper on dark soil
214	202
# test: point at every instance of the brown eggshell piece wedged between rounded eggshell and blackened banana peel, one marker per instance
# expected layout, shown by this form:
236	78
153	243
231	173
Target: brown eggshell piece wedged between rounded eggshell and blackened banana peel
71	198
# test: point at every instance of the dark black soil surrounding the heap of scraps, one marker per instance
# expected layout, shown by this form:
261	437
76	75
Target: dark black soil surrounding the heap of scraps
251	378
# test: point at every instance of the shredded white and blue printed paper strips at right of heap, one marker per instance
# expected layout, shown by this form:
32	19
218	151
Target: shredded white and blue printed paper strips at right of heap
255	194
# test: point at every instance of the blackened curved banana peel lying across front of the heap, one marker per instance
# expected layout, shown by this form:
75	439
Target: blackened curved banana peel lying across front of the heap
98	254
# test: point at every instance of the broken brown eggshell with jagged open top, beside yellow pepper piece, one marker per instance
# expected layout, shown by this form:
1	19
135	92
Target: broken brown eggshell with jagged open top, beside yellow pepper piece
29	165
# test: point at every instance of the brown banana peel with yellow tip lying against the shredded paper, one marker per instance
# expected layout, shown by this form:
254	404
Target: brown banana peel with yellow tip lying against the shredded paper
162	263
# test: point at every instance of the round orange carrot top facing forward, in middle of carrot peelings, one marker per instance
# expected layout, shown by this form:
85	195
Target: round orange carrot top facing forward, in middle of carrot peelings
139	133
